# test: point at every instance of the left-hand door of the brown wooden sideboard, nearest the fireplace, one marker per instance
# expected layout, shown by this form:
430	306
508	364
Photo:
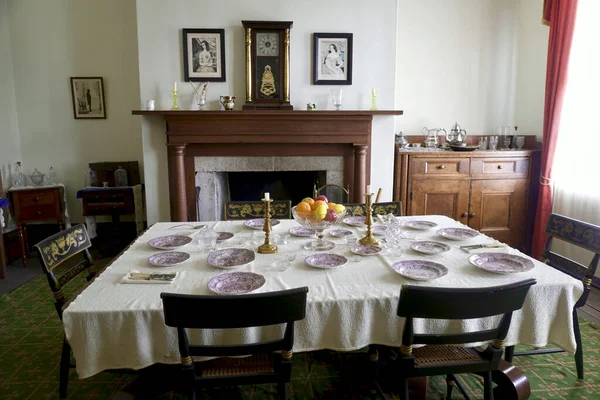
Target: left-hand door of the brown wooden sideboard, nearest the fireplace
449	197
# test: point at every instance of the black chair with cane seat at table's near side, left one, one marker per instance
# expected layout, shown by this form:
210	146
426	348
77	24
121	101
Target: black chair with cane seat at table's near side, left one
270	361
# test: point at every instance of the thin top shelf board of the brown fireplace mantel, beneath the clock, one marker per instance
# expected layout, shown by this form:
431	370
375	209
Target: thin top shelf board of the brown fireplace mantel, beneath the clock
263	113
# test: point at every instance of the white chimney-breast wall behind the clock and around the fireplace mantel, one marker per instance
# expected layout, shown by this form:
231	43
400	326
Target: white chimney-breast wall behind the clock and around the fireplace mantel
373	25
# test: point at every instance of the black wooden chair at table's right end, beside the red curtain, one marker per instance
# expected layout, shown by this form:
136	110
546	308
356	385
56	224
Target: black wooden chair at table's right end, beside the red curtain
586	236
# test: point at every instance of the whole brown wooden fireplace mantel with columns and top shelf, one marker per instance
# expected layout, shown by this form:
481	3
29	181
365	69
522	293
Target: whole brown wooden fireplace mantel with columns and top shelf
193	134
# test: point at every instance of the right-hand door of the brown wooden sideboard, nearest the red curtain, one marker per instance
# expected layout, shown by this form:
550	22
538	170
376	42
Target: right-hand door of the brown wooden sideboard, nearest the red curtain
499	209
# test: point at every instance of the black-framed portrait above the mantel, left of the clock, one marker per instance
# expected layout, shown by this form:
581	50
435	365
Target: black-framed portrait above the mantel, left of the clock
204	55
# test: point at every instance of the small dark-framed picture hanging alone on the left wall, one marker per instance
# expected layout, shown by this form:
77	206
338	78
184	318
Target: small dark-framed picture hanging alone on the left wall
88	98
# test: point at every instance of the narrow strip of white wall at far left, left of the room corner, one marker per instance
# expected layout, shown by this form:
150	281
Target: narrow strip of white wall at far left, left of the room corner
10	146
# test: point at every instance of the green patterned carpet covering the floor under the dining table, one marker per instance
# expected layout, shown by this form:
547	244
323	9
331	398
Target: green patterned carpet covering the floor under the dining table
31	337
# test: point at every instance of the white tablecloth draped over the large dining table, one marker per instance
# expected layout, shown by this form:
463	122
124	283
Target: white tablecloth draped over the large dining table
113	325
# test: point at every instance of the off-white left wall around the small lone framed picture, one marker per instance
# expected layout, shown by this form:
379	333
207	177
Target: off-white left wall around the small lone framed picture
52	41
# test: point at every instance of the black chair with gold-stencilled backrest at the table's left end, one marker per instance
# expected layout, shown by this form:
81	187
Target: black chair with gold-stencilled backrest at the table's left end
54	252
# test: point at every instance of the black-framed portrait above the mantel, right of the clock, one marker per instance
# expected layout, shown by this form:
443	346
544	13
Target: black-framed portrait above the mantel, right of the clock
332	58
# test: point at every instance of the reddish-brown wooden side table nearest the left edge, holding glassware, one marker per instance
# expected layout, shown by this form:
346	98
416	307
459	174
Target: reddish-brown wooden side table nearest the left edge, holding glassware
36	204
